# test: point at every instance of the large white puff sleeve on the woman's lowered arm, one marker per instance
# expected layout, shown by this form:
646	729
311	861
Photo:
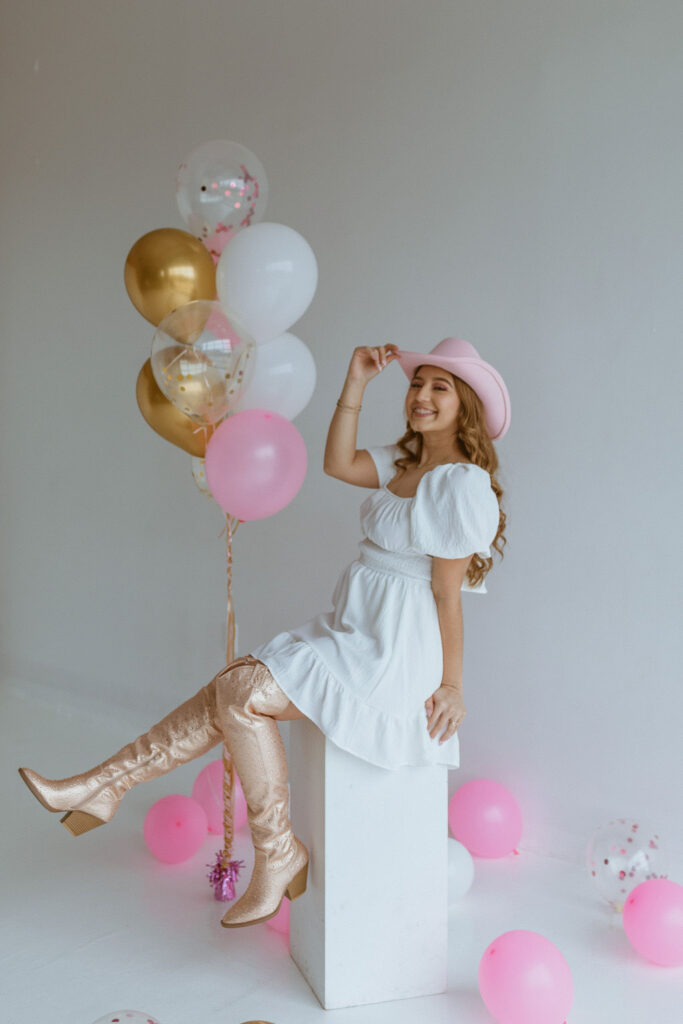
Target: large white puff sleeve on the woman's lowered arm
455	513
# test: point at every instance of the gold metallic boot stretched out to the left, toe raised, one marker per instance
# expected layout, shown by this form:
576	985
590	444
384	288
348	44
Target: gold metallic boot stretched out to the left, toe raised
93	799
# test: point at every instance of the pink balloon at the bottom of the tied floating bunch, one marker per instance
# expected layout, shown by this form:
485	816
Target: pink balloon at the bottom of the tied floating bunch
255	463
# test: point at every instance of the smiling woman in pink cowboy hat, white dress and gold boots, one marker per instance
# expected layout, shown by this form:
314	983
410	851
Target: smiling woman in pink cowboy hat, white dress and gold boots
390	654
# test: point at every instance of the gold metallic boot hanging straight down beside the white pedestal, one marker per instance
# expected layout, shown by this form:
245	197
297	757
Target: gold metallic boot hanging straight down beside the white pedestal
246	699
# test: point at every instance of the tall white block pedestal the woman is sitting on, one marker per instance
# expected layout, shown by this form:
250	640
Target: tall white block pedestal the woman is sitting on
373	923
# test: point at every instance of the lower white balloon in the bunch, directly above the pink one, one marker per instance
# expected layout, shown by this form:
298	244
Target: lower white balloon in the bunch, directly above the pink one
283	379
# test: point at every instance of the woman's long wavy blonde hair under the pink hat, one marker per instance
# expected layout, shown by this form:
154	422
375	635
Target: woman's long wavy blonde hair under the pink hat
473	435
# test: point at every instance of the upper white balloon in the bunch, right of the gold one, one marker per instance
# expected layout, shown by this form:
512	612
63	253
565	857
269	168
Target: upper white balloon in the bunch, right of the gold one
267	277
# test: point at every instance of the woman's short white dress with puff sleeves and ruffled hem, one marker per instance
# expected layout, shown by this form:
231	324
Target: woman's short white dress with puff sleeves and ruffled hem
364	671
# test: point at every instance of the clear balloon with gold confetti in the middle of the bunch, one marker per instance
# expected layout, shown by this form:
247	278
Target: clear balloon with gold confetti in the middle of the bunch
202	361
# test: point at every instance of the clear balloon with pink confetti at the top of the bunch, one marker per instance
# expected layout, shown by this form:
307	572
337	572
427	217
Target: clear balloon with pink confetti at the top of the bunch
221	189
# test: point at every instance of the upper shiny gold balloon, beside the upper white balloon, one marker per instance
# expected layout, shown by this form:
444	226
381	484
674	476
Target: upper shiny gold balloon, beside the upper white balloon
165	270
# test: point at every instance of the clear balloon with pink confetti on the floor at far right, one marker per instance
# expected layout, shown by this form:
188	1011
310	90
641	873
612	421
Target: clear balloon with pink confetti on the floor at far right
621	856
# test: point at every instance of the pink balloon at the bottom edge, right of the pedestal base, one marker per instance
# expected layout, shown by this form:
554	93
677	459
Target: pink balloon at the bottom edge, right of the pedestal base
525	979
